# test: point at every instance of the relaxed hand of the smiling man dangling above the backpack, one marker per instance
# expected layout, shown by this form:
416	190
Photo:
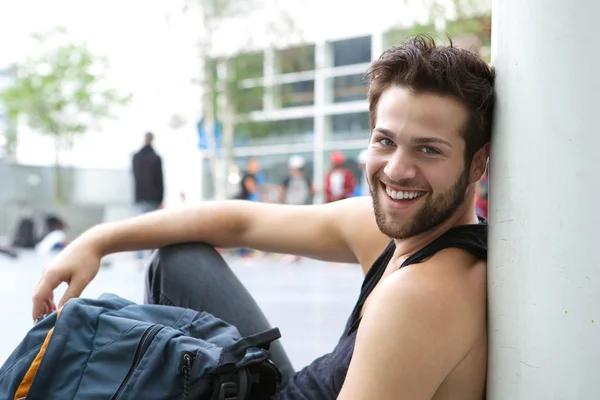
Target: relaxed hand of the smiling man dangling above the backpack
76	265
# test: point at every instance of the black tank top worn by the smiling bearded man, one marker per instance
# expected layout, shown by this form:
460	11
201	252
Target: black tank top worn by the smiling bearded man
324	377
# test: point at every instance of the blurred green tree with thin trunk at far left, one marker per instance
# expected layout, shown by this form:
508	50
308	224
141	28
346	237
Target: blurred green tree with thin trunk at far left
61	91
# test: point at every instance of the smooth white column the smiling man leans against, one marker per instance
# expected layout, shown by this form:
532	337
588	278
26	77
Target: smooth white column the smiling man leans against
544	264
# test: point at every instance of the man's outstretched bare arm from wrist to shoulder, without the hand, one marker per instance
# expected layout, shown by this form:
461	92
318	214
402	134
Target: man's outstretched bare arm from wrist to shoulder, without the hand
323	232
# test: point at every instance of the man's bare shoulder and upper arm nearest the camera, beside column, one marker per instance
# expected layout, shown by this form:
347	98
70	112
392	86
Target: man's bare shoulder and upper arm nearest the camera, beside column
422	322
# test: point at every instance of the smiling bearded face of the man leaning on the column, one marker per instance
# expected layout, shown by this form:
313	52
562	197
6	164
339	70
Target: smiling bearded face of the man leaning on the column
415	162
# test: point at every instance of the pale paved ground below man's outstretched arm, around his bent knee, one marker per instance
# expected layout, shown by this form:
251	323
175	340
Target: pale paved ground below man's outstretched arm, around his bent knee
309	301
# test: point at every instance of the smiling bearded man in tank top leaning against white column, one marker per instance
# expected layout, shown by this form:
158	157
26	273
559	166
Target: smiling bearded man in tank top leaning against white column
419	328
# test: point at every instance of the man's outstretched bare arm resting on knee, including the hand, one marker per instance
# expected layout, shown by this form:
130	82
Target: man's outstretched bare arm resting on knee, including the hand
344	231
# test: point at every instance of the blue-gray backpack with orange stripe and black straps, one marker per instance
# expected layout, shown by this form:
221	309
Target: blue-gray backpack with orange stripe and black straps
111	348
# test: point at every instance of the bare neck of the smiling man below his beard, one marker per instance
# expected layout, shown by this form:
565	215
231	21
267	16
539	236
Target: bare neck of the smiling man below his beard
465	215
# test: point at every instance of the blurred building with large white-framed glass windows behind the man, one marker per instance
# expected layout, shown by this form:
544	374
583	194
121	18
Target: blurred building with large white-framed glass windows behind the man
313	100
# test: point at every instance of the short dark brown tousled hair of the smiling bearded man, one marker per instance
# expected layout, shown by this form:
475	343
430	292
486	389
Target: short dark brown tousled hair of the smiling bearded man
423	66
